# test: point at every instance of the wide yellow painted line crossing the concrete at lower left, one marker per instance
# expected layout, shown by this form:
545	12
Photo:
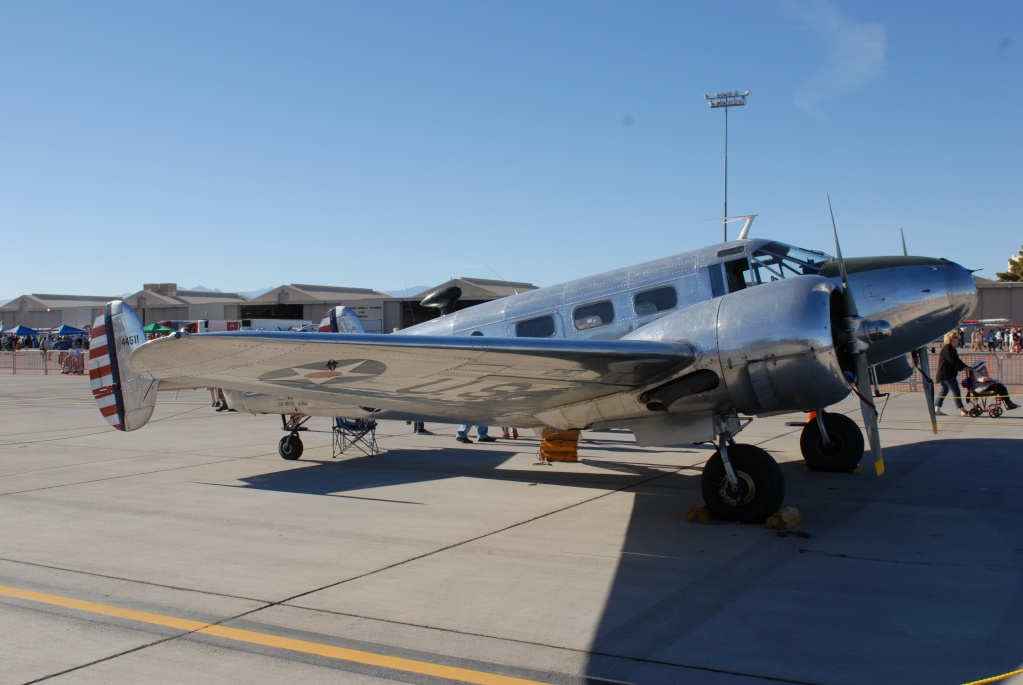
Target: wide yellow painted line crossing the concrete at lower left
269	641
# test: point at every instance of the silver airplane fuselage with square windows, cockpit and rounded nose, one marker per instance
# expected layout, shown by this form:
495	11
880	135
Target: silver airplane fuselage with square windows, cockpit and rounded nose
920	298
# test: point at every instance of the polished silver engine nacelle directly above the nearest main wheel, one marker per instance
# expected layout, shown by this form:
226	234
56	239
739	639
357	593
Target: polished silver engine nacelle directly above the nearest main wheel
772	349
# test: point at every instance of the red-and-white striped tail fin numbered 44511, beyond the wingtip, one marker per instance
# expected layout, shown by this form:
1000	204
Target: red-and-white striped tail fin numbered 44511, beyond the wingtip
125	398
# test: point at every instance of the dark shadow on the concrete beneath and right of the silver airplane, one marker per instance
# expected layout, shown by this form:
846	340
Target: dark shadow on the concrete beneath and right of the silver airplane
867	596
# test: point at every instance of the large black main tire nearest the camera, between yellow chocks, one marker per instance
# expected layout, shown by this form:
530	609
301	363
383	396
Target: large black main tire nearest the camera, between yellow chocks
762	486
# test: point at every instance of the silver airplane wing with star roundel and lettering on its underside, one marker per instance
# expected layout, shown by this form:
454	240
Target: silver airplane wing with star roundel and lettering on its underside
462	379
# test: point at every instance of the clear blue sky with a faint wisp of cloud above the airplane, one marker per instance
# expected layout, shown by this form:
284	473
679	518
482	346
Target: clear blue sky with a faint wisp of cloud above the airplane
385	145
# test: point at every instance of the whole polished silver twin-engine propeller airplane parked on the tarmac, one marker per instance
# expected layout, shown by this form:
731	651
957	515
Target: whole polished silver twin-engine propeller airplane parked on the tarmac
680	350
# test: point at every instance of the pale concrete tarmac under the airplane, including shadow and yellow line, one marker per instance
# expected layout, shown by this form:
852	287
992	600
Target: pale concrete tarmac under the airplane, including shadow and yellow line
191	553
